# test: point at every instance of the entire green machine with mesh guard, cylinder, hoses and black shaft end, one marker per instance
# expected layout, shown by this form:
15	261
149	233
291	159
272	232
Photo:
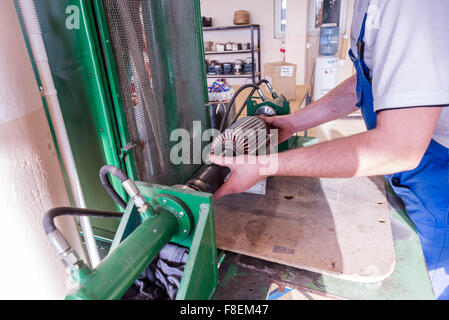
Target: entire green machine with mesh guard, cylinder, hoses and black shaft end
128	73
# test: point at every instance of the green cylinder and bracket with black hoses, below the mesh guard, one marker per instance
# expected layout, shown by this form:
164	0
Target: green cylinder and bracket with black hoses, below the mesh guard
155	216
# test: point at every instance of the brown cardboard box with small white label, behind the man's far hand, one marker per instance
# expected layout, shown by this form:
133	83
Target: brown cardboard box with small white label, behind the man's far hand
282	77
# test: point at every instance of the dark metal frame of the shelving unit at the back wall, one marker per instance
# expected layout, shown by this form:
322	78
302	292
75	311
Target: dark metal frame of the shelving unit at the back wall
255	50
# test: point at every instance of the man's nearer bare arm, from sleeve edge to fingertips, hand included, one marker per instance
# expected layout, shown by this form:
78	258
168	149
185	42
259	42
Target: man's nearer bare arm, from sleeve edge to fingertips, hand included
397	144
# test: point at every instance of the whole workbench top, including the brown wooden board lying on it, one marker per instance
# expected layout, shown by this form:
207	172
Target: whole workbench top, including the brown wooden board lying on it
342	238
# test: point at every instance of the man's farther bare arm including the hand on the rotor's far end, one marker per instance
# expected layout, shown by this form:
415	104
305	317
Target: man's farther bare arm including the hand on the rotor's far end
338	103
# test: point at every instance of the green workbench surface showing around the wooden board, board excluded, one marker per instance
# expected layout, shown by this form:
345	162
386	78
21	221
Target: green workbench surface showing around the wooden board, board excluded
249	278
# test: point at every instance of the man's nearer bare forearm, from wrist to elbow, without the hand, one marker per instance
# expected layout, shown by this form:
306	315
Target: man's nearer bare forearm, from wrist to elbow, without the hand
365	154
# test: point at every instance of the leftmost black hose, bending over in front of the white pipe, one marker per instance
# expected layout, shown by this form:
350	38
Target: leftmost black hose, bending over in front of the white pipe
50	215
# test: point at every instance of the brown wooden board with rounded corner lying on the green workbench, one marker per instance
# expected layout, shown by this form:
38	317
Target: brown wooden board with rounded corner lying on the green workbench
339	227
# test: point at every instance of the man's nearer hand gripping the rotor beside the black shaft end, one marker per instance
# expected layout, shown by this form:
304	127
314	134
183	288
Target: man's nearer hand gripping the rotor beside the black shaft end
245	173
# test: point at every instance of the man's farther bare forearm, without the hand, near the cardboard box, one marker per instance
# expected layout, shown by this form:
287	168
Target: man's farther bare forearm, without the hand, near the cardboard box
338	103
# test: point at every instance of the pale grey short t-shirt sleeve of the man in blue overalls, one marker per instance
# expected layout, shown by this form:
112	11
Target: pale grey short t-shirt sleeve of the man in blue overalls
411	54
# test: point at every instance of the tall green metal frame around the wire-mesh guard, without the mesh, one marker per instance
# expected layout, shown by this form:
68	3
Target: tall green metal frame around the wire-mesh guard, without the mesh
85	75
